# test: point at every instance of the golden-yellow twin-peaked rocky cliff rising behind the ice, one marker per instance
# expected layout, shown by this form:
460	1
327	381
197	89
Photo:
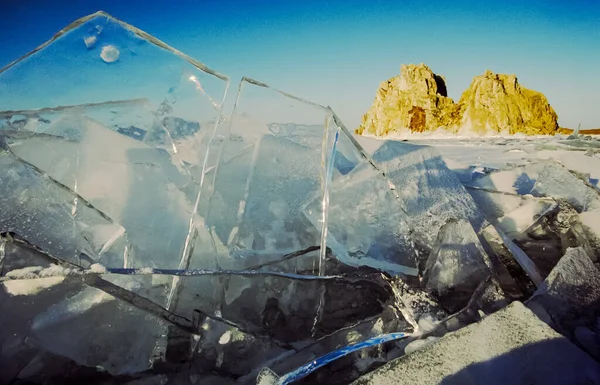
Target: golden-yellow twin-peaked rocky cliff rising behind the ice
417	101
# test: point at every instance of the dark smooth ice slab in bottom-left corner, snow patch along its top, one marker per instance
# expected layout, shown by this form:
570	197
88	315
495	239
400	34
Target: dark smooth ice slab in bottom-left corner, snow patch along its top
64	316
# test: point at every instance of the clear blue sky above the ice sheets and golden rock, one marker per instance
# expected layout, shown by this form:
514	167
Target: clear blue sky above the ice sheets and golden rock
337	52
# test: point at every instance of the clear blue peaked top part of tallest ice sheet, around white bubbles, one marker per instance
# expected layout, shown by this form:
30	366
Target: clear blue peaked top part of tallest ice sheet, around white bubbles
146	68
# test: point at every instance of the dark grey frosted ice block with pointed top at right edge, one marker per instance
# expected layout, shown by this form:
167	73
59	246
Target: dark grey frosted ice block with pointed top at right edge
570	295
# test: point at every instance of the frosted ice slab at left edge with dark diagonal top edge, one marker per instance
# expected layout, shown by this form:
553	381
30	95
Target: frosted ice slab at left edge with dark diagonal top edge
32	204
